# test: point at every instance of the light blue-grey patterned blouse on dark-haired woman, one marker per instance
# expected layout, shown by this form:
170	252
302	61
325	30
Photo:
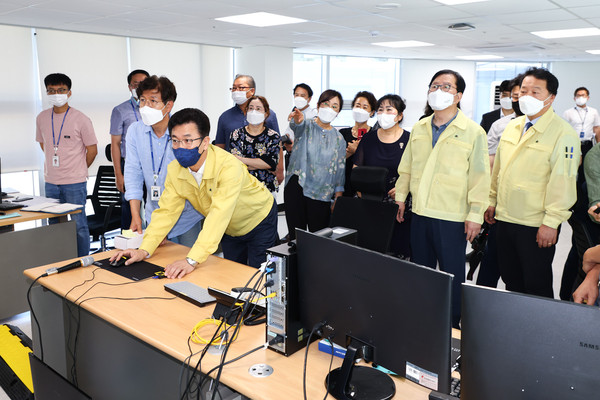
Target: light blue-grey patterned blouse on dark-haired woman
319	159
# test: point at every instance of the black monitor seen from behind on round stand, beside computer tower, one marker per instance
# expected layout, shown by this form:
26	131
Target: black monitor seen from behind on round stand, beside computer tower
393	312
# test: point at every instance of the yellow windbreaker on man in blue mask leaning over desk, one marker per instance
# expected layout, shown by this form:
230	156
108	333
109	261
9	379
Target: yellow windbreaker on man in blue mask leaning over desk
232	201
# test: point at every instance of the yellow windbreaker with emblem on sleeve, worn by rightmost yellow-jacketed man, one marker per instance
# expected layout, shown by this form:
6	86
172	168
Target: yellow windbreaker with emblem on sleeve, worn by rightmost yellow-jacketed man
534	176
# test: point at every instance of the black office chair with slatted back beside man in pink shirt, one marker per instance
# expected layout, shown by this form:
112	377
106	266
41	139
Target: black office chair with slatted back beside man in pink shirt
106	200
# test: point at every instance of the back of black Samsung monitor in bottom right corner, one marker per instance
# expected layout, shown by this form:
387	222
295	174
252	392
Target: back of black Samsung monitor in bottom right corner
517	346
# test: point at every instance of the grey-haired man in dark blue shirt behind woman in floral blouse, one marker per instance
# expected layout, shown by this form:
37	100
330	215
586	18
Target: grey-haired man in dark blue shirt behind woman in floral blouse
243	88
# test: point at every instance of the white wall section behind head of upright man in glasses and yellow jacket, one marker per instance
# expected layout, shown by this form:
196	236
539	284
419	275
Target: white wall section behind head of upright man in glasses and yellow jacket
414	79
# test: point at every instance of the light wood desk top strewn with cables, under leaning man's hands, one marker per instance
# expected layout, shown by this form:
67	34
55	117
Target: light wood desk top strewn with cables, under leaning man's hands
166	325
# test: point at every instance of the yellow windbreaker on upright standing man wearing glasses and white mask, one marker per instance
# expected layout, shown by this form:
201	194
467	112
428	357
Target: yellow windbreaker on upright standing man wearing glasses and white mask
450	181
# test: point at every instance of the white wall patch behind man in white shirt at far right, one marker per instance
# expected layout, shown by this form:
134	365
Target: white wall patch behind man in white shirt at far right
572	75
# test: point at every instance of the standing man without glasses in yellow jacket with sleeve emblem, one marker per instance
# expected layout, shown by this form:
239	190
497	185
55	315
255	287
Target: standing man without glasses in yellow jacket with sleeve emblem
533	186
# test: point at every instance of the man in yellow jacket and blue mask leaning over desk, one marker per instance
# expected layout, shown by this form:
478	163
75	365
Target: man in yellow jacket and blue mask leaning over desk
239	211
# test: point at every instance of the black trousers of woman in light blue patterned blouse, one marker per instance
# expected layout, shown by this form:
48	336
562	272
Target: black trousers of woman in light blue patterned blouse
302	212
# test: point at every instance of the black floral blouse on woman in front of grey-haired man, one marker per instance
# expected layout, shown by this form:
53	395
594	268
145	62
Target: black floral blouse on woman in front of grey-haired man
264	146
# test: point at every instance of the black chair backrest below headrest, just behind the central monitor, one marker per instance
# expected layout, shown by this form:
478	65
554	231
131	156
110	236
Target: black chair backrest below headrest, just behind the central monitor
373	221
